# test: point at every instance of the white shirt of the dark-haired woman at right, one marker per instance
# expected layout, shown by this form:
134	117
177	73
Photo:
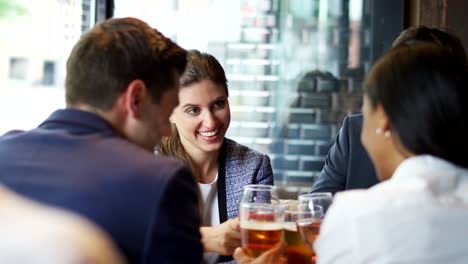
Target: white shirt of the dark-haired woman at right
420	215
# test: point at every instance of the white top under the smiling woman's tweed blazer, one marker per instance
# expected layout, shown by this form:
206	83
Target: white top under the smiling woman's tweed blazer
210	214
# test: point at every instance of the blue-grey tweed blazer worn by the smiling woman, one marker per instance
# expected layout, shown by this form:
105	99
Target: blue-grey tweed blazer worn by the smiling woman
239	166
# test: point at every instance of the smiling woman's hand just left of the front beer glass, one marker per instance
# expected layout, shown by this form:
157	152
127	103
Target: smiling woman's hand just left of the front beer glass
223	238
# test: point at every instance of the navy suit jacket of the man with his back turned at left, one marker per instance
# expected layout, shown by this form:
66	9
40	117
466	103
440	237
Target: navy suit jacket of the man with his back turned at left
75	160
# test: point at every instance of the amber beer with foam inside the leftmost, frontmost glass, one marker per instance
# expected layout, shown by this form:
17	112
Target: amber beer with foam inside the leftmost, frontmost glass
259	236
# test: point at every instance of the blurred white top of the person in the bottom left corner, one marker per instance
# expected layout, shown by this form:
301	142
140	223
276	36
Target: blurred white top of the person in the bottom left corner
37	234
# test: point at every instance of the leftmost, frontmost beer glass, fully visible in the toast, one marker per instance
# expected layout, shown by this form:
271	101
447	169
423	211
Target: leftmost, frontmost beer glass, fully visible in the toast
261	219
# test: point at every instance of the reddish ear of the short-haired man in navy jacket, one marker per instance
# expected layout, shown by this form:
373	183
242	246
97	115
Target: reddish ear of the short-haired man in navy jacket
135	96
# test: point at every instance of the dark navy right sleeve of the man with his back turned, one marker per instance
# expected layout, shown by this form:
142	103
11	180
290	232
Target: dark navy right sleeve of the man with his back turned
175	231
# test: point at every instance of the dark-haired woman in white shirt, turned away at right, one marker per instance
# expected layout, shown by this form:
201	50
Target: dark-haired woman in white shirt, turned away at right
415	132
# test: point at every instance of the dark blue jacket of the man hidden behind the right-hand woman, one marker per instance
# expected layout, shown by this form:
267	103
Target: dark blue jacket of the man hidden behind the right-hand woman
347	165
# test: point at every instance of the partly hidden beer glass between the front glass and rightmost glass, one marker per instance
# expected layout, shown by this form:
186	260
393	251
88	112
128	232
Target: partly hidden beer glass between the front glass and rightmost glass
297	251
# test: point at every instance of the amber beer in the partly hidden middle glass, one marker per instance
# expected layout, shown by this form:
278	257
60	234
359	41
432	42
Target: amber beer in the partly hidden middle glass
297	251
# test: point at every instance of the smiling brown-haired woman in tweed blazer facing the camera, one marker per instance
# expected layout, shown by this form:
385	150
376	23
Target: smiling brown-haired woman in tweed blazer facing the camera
221	166
